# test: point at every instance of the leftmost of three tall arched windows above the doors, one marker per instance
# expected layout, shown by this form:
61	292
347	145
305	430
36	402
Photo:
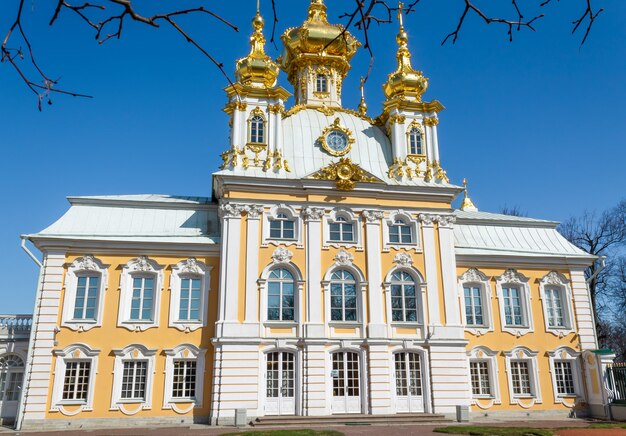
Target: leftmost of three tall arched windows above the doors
280	296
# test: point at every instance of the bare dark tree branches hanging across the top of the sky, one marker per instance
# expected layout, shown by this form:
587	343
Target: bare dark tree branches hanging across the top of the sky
107	19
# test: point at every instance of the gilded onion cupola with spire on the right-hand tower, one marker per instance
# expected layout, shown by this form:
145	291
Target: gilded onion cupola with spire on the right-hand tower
405	83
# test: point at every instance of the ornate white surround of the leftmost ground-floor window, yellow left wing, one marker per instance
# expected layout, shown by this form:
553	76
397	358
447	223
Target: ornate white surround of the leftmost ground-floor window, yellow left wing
74	352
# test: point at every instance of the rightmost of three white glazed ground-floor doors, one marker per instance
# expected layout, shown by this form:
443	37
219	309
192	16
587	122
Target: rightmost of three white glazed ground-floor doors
409	396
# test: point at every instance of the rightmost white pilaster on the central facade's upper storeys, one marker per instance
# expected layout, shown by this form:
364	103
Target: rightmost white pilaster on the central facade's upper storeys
448	273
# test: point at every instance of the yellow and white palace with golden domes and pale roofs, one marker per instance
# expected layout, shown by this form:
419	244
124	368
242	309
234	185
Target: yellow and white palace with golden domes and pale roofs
327	273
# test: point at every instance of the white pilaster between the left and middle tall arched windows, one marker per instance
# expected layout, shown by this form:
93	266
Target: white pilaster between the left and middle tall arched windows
314	325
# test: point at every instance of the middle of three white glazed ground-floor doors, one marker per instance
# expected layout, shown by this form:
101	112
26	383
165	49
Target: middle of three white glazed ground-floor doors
346	392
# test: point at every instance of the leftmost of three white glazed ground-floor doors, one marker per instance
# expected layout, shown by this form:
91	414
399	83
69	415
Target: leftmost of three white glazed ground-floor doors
280	377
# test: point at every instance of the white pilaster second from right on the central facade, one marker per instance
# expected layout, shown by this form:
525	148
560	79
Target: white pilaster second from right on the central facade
430	265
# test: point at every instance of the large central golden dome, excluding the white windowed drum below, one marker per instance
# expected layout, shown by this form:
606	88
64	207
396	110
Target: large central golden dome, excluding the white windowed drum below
316	39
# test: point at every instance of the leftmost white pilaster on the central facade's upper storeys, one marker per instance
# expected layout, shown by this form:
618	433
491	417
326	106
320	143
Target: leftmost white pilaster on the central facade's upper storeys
229	267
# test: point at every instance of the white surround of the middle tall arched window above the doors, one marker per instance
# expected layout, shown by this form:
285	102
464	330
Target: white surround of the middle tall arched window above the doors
343	261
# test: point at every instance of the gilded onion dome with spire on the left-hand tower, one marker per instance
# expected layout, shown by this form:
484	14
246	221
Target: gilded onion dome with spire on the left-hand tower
257	69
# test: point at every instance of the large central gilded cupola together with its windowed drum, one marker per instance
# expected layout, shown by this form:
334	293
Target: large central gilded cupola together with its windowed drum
317	57
